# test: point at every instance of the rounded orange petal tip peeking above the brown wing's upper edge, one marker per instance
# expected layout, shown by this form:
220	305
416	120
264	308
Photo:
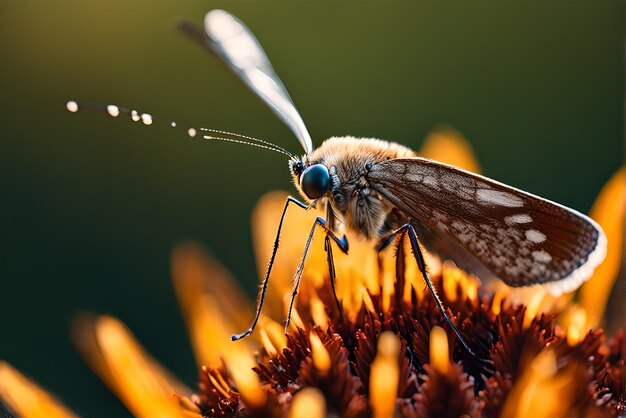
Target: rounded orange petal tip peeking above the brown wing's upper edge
449	146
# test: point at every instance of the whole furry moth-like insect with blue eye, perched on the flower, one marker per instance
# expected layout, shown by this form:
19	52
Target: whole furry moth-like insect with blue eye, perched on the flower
381	190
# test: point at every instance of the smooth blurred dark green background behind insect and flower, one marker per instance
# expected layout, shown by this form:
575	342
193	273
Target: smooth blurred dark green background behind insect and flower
91	206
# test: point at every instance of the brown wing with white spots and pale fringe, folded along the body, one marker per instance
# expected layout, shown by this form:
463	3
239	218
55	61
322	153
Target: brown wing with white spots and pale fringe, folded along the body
522	238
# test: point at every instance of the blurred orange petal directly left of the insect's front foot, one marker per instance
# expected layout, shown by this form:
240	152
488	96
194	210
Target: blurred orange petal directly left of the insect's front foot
213	307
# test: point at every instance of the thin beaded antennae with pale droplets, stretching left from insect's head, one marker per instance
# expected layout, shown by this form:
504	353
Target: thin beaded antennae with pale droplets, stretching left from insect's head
204	133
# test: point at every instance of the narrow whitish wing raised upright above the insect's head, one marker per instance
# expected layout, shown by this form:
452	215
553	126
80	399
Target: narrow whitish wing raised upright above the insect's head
234	43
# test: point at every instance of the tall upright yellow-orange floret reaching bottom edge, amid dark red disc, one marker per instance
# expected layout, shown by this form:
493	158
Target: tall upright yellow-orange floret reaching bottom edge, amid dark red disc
384	376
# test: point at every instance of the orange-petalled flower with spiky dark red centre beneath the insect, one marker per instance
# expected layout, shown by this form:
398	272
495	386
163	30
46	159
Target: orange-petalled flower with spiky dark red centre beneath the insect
386	352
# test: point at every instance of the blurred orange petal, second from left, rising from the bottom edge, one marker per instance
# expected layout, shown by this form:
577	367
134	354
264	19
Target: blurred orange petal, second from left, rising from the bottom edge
145	388
